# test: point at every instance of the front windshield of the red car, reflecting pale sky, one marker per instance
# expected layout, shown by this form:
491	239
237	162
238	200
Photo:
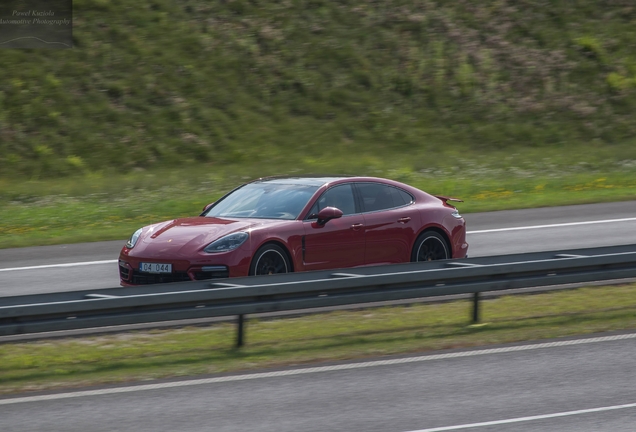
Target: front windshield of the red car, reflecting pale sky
264	200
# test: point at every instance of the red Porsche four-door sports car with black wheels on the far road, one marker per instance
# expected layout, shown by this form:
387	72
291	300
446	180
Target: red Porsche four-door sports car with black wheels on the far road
280	225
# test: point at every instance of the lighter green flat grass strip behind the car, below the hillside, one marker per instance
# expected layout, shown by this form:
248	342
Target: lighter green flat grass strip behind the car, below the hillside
98	206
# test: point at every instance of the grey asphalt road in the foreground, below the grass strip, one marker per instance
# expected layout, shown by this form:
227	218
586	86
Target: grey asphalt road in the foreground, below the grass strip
577	385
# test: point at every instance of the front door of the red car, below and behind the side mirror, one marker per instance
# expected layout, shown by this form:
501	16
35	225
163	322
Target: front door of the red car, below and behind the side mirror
339	242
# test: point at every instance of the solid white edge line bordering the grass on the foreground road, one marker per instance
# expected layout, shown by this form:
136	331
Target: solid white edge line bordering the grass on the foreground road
305	371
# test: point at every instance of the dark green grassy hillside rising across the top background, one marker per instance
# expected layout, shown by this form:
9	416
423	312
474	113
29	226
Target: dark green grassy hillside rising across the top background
306	83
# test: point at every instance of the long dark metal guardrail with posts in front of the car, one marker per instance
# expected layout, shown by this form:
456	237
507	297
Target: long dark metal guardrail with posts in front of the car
306	290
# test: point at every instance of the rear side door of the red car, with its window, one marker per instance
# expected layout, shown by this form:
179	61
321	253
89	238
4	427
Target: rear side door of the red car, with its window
390	222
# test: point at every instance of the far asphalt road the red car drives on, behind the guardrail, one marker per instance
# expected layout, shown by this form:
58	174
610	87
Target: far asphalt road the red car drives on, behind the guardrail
44	269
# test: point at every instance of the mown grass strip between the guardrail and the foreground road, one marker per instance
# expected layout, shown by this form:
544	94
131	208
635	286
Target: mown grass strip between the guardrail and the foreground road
342	335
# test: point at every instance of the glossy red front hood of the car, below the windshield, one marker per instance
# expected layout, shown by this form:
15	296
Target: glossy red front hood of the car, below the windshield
184	237
